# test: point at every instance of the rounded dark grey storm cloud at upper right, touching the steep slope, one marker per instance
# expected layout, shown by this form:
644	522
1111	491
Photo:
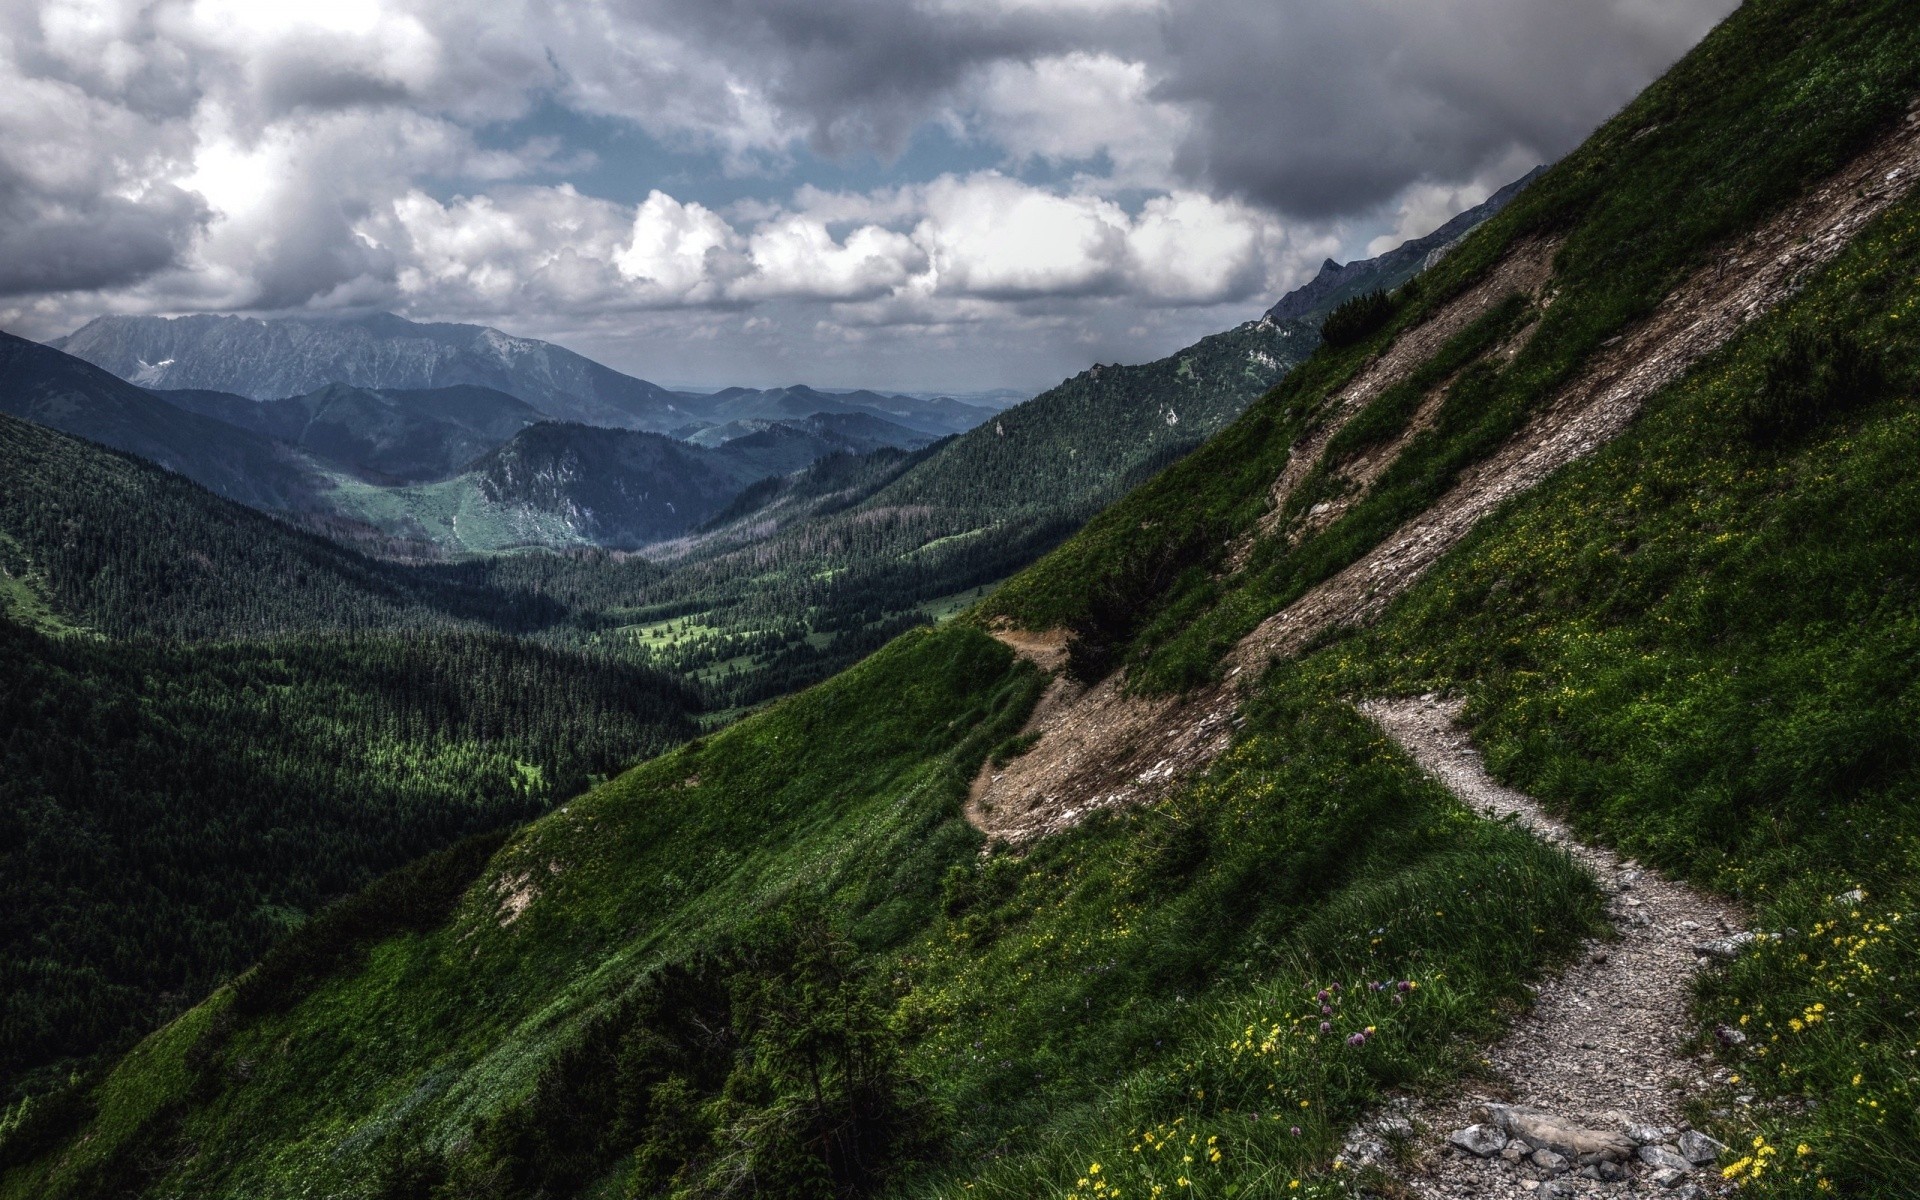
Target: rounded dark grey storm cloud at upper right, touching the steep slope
1333	107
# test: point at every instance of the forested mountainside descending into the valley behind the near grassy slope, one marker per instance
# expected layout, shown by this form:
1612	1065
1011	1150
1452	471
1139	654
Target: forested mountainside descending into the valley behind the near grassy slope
867	548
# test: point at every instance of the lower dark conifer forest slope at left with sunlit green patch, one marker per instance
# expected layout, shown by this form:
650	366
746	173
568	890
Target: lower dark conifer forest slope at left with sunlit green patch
168	813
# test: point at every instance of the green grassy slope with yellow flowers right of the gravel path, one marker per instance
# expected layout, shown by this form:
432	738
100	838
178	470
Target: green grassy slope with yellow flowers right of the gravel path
1704	648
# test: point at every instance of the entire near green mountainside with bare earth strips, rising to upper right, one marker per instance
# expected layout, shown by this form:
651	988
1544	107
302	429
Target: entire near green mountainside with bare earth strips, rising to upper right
1627	483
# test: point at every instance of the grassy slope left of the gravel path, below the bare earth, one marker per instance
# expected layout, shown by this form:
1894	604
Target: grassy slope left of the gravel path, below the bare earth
531	1009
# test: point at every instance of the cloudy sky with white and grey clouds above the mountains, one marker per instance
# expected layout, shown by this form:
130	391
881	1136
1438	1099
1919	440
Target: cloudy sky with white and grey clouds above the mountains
924	195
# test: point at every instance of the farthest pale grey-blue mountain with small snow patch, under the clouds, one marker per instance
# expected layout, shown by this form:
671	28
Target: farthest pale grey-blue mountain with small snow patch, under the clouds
295	356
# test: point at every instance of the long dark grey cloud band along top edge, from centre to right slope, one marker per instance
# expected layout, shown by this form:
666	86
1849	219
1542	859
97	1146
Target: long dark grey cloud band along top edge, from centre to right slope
1314	107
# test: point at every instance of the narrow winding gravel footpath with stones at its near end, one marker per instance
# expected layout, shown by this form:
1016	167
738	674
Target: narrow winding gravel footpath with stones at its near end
1602	1047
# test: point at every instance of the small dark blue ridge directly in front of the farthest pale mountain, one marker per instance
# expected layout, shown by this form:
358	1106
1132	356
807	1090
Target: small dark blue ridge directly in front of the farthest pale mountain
383	437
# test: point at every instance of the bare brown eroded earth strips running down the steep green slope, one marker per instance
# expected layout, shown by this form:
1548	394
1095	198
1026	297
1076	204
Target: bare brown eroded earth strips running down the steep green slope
1109	748
